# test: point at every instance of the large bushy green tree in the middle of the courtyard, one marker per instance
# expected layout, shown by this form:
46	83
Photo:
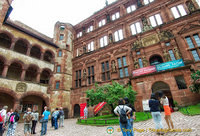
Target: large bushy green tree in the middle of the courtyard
110	93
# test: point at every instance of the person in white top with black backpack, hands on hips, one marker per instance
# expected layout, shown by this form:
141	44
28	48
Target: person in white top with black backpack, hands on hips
122	111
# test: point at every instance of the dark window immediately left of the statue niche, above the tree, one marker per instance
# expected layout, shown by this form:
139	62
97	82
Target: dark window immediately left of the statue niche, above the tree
105	71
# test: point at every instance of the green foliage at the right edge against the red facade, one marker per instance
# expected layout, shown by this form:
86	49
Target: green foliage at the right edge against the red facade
195	86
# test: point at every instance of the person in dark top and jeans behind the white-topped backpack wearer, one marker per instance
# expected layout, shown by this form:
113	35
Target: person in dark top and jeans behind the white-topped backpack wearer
131	116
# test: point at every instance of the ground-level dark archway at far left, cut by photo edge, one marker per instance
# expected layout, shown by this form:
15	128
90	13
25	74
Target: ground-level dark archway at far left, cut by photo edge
6	99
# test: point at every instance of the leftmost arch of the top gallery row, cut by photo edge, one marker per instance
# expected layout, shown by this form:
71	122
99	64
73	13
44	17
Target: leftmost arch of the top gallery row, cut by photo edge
5	40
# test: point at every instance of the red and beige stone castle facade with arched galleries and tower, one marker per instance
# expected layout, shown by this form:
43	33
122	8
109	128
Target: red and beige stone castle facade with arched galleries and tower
123	37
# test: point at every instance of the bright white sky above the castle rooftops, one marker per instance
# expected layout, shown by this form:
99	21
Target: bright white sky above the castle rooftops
42	15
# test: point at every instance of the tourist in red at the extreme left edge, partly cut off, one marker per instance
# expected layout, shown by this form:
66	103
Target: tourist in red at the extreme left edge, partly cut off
3	119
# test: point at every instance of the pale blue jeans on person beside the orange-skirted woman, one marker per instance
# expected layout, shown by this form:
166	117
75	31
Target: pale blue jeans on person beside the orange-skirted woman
157	119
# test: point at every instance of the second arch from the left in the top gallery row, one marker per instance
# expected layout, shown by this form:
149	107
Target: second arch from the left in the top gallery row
21	46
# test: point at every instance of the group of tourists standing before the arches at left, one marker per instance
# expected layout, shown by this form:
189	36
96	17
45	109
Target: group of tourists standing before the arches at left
10	119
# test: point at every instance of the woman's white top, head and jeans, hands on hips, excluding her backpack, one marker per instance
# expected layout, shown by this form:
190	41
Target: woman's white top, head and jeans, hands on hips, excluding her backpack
126	131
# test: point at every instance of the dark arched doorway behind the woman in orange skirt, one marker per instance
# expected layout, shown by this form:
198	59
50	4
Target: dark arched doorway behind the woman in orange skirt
162	87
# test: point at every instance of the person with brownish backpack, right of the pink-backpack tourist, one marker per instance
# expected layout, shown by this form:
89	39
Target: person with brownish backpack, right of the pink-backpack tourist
28	117
